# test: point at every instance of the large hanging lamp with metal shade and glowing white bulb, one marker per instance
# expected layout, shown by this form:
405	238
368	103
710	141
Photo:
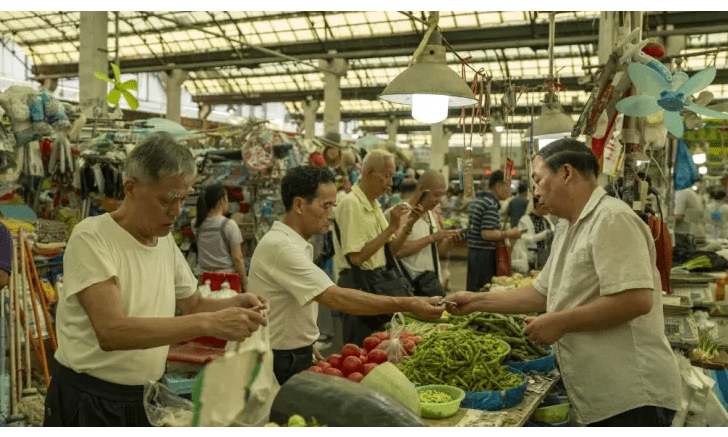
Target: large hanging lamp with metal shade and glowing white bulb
428	84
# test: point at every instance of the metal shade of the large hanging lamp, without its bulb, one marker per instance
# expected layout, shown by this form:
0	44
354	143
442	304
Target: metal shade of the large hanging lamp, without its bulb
429	75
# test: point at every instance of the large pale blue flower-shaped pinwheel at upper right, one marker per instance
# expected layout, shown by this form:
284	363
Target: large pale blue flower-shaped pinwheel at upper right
658	94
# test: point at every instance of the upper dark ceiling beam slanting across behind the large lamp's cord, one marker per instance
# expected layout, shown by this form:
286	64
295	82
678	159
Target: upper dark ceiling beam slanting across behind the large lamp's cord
494	37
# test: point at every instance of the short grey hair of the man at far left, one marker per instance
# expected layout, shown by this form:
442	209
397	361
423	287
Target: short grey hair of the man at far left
159	155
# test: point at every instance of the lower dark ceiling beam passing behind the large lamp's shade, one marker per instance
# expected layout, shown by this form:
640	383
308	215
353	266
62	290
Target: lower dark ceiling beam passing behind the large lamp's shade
372	92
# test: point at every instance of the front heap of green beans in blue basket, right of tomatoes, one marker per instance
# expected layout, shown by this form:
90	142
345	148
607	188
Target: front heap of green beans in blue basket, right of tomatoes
461	358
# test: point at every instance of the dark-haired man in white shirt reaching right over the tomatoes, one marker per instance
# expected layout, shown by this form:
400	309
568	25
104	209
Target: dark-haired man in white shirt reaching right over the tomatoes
282	270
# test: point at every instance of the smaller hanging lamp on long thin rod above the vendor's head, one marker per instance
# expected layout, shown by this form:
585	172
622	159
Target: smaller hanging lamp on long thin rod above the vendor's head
553	122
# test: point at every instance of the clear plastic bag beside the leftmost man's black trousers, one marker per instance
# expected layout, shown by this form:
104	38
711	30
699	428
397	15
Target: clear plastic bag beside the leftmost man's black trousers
164	407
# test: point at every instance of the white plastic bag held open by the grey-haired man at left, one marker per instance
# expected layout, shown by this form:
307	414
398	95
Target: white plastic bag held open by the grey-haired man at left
239	388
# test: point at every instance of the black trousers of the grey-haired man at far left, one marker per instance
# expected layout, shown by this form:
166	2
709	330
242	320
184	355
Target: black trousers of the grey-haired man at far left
78	399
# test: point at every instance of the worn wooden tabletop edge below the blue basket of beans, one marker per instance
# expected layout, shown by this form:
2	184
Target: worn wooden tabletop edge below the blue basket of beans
539	385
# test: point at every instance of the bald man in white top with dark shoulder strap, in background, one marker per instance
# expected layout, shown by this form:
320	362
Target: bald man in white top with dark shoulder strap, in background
421	251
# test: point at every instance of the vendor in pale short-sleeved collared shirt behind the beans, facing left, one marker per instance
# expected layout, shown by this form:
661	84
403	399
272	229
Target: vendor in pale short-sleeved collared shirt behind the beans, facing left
600	290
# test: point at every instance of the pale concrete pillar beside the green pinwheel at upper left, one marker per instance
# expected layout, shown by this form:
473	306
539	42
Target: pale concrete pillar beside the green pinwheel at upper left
93	57
